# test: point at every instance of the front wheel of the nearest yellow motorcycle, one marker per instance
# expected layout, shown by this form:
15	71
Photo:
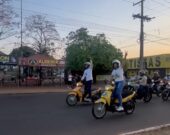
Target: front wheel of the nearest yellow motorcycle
99	110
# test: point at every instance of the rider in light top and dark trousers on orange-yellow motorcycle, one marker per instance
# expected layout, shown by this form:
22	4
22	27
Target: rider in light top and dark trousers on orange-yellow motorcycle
87	78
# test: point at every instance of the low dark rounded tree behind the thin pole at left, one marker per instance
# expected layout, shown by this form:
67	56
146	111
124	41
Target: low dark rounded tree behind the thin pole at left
26	51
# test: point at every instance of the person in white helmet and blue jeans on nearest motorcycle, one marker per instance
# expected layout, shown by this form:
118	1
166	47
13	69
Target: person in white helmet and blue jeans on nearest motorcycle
118	76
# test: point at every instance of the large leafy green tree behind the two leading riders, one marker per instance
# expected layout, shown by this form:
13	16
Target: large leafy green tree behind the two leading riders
82	46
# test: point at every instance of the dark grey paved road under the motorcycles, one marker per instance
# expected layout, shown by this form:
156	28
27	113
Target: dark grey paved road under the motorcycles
47	114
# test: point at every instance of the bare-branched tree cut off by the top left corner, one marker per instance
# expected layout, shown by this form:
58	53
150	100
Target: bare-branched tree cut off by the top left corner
7	16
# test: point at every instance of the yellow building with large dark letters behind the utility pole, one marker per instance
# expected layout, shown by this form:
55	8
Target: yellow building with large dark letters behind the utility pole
159	63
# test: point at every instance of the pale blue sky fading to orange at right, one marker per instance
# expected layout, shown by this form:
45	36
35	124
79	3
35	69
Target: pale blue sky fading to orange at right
112	17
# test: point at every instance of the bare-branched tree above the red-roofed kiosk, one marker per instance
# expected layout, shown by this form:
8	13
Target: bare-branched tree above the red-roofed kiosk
42	34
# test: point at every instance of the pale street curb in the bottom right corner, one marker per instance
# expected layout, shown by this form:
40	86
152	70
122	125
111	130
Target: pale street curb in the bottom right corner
146	129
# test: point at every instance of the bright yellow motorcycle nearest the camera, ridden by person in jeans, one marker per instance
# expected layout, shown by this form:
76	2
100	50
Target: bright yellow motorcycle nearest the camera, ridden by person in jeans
102	105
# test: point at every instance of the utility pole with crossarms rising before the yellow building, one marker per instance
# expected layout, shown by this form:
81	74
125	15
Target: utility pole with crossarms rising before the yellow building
142	19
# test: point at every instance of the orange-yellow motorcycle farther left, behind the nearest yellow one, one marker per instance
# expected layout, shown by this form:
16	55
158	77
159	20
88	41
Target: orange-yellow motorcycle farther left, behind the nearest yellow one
76	95
